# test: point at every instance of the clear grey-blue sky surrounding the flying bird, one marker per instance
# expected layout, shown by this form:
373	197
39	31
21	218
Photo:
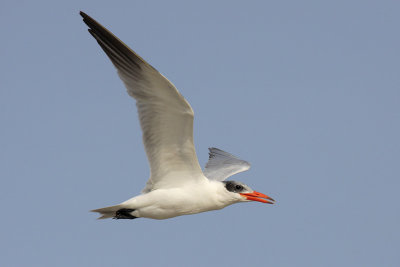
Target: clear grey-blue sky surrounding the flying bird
307	91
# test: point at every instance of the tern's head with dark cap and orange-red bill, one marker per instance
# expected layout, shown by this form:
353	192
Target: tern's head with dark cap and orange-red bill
243	193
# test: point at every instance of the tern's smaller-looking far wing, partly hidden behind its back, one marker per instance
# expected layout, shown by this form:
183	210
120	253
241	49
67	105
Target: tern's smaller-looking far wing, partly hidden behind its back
222	165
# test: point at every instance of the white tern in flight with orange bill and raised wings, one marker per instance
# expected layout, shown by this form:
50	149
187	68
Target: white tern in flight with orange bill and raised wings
177	184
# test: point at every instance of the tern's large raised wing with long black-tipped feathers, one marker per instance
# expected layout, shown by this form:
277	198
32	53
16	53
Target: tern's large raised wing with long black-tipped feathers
165	116
